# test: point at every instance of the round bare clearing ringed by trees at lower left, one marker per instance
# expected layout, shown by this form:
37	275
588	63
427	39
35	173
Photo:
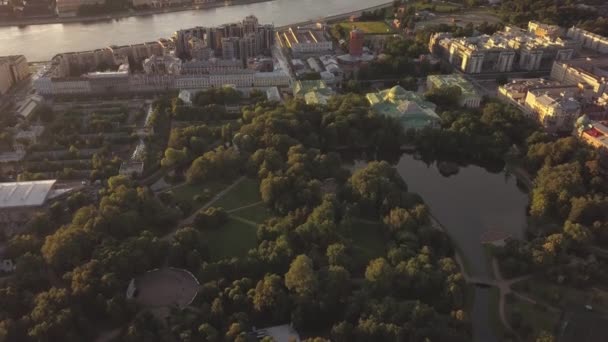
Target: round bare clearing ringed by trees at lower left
166	287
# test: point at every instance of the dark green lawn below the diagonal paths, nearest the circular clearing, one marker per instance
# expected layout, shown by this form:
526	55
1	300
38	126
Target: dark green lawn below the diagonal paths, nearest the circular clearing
234	239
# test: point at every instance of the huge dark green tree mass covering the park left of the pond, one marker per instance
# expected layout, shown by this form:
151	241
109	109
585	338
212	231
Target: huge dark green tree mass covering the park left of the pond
303	269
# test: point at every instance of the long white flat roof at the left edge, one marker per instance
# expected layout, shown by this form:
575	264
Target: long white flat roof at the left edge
25	194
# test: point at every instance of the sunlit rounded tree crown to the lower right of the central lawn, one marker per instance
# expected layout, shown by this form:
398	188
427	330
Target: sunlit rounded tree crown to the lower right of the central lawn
301	277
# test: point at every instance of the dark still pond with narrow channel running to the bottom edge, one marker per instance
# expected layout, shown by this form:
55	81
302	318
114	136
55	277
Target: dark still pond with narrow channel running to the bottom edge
468	204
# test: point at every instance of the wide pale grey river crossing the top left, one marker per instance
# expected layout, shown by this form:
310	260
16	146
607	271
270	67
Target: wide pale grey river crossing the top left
41	42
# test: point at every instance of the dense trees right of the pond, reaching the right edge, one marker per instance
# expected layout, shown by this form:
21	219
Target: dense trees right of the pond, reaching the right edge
567	208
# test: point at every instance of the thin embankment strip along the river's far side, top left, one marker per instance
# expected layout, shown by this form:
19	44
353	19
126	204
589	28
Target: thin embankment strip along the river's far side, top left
121	15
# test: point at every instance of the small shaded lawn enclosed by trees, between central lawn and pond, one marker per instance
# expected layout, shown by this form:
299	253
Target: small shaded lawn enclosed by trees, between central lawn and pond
368	242
